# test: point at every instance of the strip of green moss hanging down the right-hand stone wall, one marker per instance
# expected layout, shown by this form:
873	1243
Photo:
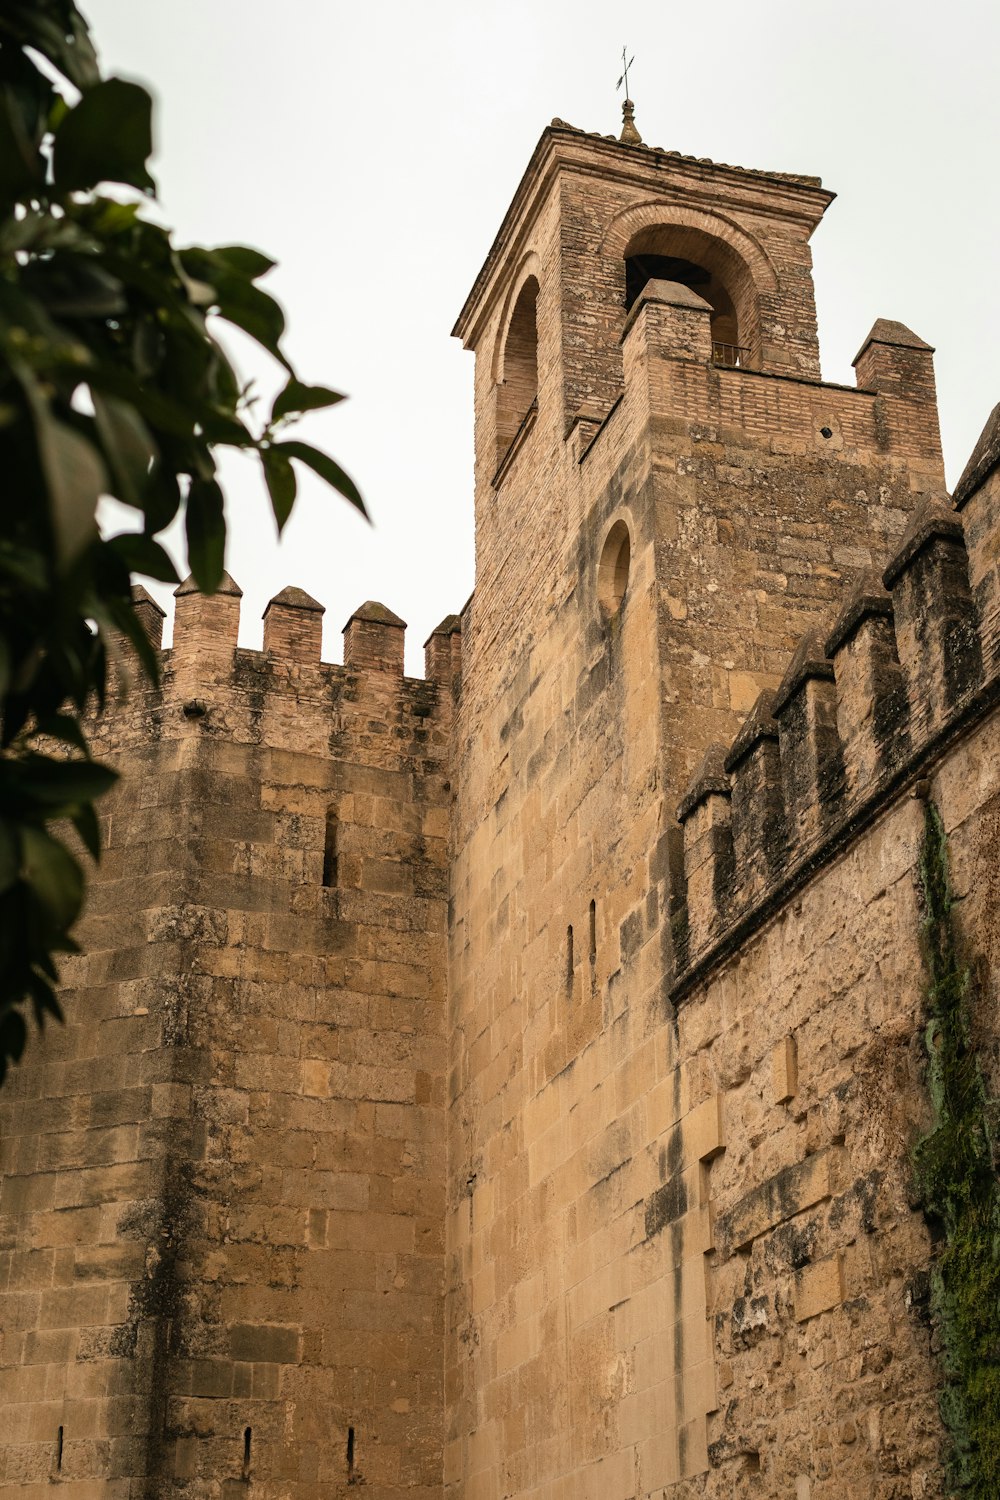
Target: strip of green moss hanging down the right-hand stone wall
960	1193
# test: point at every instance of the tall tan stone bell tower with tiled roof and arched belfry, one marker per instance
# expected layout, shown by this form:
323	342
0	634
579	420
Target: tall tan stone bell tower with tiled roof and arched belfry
668	499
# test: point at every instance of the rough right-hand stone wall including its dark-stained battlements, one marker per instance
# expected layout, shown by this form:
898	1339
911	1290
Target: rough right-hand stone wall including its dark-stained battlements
804	1007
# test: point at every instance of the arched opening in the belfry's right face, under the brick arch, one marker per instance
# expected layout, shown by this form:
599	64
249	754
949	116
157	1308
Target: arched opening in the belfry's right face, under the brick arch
710	269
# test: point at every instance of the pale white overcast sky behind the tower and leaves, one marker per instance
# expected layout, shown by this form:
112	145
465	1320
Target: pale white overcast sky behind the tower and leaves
374	149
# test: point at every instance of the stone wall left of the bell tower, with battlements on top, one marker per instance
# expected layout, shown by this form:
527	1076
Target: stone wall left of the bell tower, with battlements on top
223	1198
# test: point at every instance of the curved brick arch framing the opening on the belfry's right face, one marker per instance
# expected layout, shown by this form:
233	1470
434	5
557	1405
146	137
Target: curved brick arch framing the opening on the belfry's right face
708	239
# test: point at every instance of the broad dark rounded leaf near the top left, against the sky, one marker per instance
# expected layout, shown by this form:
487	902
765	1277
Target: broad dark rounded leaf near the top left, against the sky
107	137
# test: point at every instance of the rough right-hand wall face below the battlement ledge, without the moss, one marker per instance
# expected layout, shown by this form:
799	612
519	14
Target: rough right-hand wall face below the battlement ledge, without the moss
809	1045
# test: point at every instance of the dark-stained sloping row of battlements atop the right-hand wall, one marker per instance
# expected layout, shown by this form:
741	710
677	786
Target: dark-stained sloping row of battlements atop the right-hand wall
860	718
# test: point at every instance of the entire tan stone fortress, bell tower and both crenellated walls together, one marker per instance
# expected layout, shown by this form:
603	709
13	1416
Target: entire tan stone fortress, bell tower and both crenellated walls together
506	1084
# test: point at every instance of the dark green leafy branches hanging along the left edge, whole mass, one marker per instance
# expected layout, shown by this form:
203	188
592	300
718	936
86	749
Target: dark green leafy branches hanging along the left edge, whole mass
112	385
